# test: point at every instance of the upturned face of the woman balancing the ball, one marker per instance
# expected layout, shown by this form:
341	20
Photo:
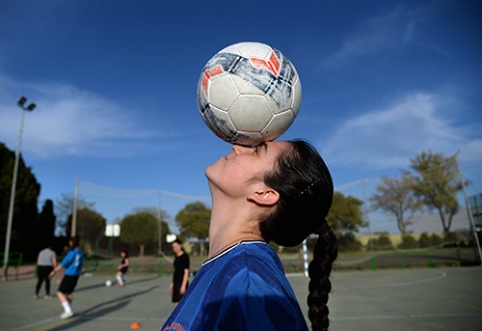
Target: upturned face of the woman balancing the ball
245	165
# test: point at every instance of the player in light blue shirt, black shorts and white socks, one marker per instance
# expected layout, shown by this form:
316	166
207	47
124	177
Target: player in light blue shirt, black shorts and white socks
72	263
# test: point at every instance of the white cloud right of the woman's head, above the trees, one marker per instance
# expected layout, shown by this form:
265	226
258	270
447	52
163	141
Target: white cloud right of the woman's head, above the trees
388	138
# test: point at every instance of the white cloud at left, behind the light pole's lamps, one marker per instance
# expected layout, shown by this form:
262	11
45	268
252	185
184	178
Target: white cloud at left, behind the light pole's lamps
68	121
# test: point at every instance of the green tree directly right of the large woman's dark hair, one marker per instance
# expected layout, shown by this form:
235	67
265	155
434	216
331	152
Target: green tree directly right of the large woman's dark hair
345	215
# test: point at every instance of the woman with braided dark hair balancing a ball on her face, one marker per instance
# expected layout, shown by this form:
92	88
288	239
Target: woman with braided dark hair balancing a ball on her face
280	192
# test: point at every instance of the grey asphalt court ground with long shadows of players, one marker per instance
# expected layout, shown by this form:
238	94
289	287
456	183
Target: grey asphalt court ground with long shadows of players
407	299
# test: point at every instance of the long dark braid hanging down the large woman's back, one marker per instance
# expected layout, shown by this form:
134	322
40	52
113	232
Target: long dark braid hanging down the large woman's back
325	252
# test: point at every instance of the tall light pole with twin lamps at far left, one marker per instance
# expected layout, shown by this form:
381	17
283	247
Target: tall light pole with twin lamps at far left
21	103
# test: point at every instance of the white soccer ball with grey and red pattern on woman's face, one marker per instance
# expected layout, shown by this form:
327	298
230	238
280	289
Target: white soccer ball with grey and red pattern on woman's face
249	93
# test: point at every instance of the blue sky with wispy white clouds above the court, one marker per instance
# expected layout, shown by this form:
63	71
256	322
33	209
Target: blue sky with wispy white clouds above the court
115	88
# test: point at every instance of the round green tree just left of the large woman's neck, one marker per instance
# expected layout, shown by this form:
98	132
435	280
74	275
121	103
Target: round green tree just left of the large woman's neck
193	221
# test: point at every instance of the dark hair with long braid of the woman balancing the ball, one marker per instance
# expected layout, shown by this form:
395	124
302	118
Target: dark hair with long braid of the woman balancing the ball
304	183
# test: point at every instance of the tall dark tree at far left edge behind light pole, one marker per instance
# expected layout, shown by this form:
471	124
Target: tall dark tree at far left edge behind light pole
25	211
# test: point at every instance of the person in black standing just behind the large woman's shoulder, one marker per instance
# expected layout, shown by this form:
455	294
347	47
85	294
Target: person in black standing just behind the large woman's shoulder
180	278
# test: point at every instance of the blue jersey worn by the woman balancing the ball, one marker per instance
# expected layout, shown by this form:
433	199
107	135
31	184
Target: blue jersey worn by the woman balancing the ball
243	288
